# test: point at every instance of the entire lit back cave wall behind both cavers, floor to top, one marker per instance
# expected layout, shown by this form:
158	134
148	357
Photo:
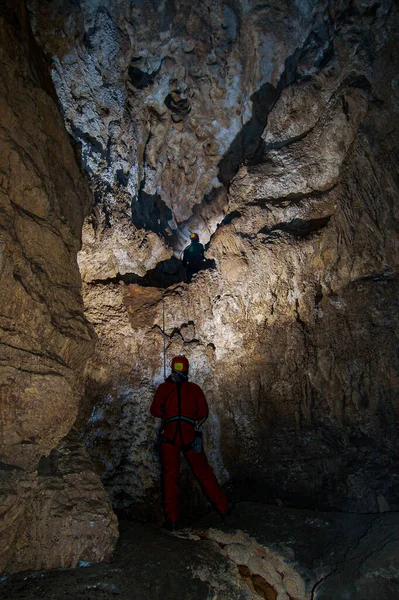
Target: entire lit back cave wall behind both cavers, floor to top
293	332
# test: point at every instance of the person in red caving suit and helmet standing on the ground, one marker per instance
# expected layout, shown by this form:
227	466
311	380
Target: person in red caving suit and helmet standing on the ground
181	403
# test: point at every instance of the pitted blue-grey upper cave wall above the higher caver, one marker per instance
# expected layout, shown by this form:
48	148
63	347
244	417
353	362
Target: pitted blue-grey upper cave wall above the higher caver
158	95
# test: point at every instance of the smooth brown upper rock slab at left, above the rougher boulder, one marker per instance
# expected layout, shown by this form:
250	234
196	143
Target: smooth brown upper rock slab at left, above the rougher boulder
45	339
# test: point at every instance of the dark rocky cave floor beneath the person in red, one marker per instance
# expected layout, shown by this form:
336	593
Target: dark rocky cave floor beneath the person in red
265	552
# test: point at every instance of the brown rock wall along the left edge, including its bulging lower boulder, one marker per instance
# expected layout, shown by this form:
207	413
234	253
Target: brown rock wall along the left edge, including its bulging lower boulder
45	338
